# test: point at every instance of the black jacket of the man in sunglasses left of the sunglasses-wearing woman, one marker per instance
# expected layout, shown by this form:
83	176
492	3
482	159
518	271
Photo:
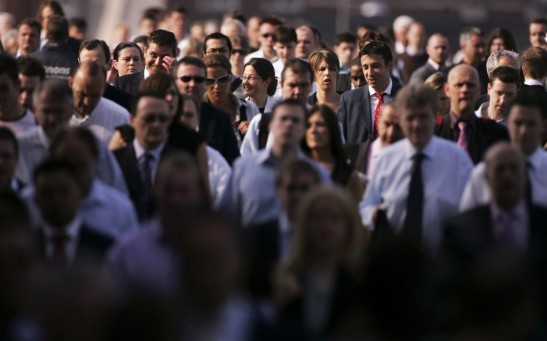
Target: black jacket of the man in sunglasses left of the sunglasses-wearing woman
216	128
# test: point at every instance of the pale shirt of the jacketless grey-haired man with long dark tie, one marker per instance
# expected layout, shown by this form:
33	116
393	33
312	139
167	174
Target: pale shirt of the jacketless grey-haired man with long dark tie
445	170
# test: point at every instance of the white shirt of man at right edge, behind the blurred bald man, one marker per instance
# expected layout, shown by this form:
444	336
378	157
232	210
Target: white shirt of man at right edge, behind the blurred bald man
477	192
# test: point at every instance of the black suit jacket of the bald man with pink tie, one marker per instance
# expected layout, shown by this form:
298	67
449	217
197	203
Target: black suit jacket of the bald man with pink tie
484	134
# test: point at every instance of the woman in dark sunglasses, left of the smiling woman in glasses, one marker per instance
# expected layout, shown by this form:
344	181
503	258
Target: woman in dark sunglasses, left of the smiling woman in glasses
219	94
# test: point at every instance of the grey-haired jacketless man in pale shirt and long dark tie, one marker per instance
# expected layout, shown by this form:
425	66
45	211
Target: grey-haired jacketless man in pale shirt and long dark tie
418	181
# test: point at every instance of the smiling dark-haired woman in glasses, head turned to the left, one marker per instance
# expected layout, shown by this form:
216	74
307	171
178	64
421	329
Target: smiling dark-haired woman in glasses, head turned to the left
259	84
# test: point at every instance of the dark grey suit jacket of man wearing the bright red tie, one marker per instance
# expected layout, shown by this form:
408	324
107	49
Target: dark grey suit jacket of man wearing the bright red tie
355	115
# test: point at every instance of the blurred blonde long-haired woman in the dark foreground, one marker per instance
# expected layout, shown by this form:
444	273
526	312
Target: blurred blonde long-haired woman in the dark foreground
317	282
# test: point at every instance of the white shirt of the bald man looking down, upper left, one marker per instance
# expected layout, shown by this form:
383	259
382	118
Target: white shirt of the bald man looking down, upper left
104	119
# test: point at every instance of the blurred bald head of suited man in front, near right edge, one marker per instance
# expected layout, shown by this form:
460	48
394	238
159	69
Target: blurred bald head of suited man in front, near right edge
505	174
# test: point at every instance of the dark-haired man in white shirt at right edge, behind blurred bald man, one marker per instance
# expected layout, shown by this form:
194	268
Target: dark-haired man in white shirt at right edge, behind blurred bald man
525	124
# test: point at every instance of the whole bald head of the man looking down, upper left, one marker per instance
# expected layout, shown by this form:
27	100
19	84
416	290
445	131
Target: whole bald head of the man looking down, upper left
87	87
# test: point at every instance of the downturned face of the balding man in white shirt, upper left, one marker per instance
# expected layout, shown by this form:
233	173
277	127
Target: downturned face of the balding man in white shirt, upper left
87	92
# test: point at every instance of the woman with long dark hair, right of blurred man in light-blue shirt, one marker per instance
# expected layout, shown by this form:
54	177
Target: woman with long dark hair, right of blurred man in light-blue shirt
323	143
